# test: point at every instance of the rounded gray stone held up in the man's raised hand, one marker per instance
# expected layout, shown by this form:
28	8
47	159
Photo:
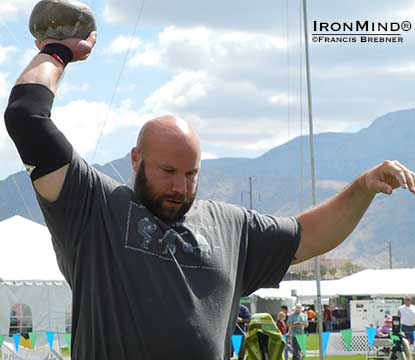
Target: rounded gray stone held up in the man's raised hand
61	19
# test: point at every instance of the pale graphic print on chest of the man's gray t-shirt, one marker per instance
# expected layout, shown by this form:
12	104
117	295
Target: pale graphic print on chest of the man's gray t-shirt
151	236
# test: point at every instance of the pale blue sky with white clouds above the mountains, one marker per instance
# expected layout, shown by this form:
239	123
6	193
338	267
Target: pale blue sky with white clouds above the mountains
234	69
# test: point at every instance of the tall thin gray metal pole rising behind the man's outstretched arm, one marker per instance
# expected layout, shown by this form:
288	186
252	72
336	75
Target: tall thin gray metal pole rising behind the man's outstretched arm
313	176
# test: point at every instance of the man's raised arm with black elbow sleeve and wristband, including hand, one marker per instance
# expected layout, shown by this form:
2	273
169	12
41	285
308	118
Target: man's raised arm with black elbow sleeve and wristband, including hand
44	150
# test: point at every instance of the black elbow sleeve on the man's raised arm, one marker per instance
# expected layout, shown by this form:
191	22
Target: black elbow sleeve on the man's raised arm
42	147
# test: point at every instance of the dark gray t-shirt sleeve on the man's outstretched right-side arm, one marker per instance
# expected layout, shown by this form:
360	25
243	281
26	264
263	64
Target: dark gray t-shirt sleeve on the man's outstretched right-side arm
272	243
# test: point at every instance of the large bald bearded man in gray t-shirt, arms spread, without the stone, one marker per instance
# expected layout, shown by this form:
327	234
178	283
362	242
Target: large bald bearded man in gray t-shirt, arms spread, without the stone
154	273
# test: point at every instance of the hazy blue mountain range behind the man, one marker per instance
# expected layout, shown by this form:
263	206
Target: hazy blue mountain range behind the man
281	185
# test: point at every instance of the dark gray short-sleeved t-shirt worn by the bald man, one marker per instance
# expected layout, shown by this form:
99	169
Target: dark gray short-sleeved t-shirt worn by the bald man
143	289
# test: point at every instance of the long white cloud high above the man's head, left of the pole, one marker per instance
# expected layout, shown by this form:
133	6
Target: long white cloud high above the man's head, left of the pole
219	52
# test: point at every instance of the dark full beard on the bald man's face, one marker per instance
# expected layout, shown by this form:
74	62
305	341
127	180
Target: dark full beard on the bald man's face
154	203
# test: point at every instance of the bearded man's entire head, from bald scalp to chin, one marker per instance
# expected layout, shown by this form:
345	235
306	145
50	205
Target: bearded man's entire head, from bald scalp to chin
166	161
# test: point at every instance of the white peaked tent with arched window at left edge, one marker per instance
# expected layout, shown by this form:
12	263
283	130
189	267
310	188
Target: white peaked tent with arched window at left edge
31	276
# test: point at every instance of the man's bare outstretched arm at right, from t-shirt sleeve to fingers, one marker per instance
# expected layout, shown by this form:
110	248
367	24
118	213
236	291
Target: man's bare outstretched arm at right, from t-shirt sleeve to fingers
325	226
